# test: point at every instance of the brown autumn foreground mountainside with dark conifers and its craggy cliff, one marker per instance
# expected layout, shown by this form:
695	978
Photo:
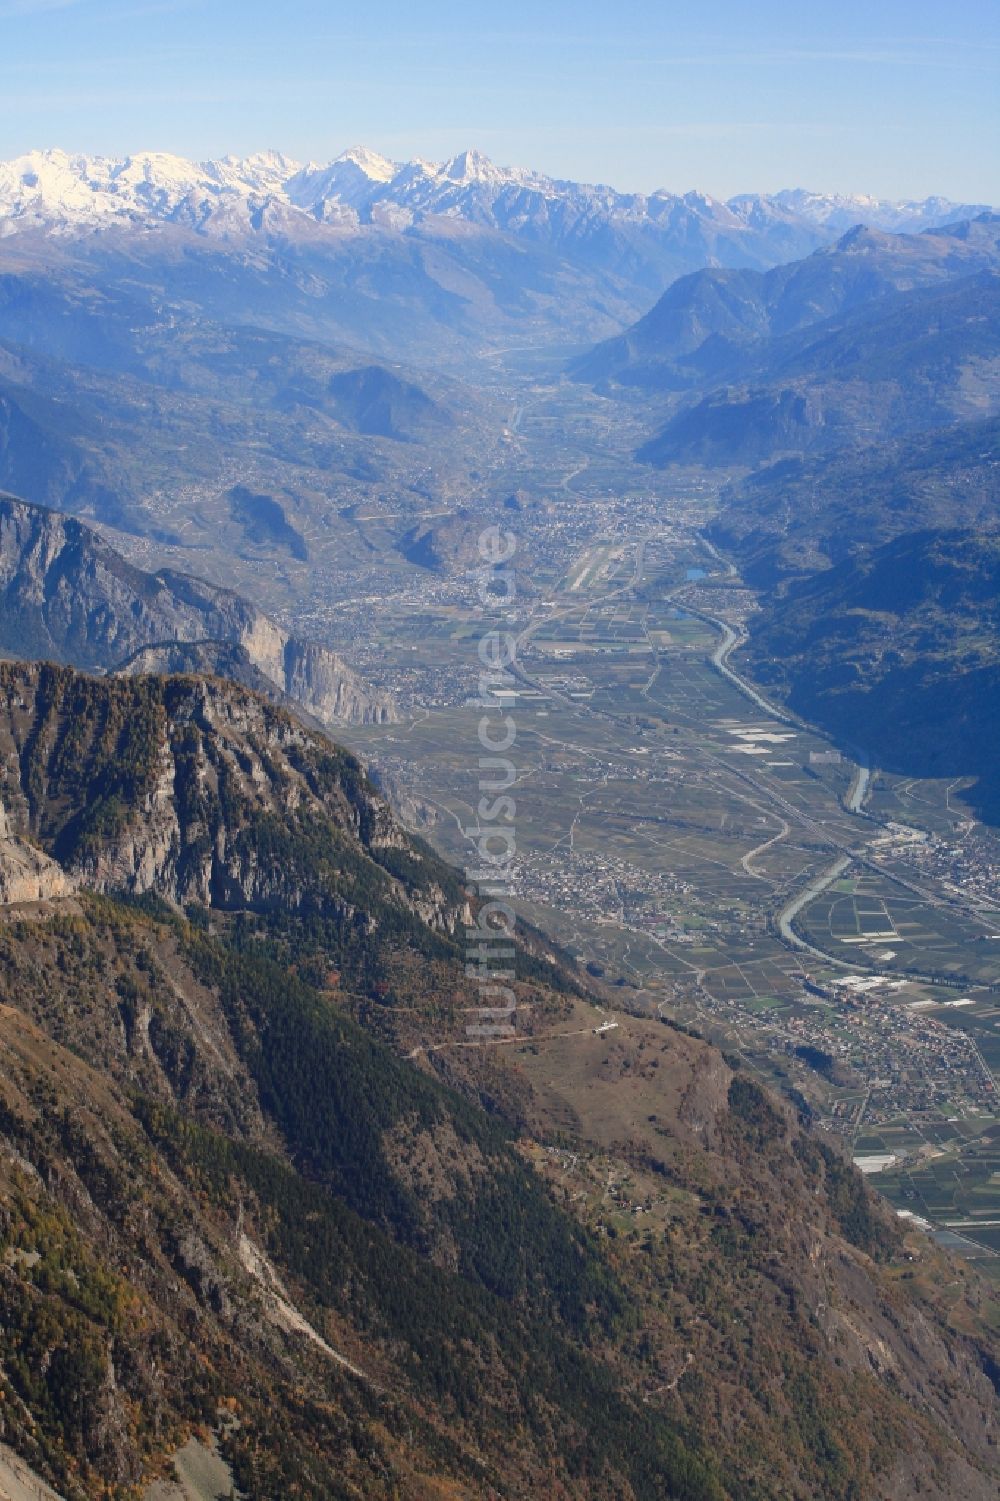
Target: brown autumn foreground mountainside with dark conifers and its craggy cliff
227	1208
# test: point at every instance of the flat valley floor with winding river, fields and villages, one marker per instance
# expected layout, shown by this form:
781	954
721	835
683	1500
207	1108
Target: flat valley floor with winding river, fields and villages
714	859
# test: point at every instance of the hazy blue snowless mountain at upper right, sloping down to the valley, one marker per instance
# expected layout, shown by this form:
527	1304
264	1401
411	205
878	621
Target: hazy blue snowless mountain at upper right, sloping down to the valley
867	341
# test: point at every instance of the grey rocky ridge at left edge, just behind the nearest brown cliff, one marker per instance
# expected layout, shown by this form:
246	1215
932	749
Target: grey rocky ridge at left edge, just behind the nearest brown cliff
70	597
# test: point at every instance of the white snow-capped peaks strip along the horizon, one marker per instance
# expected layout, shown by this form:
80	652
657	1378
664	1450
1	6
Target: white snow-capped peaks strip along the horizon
64	194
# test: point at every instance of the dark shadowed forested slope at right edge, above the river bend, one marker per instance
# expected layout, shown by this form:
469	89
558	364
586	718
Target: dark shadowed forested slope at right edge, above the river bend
894	645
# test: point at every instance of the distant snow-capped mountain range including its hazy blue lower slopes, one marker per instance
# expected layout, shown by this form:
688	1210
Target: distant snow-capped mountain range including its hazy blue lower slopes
396	257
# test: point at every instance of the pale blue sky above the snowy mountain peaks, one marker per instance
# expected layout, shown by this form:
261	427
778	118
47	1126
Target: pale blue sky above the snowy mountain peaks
723	95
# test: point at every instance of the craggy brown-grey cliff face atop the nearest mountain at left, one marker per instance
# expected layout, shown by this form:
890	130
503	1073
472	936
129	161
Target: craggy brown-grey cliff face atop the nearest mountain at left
199	792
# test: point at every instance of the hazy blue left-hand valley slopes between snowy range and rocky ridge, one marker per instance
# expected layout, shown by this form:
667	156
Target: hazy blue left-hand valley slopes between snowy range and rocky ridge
208	436
